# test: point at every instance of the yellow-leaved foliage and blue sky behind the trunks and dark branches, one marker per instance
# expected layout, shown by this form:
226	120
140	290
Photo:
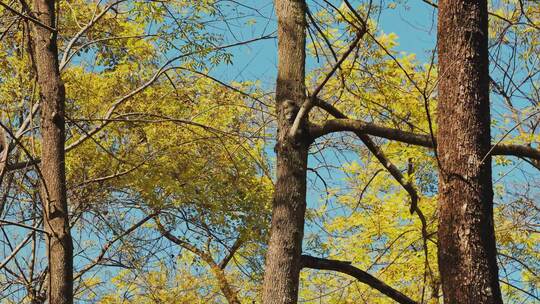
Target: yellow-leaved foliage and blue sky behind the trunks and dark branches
170	157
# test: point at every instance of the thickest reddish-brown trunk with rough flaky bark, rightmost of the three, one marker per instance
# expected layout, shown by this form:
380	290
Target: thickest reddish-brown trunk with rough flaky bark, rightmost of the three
467	252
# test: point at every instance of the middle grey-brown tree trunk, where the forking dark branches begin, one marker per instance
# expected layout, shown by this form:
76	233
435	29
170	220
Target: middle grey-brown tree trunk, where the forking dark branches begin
289	203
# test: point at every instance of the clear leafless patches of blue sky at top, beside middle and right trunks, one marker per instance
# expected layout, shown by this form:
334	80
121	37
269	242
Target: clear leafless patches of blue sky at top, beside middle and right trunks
414	23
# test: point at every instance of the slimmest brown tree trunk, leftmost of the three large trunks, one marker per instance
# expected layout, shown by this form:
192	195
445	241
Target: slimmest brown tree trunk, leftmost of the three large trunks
53	189
